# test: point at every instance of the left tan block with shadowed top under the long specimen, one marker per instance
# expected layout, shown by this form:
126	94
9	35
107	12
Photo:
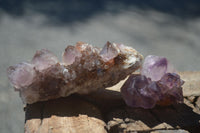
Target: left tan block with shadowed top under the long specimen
64	115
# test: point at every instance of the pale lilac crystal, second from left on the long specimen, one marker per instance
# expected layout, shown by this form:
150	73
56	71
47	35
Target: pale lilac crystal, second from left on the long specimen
43	59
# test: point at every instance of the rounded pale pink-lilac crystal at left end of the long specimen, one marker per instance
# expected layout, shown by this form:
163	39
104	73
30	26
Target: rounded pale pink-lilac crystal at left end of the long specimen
21	75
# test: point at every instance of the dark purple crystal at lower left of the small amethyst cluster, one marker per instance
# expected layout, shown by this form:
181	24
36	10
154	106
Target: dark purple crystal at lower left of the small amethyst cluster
137	92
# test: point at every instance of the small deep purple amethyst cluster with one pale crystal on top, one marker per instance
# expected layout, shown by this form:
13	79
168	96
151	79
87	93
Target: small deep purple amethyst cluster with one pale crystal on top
157	84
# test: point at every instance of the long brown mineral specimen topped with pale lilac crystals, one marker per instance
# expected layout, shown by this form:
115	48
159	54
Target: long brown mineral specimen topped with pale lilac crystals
84	69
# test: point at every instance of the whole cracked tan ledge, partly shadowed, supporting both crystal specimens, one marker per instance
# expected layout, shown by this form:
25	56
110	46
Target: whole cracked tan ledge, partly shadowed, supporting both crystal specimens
105	111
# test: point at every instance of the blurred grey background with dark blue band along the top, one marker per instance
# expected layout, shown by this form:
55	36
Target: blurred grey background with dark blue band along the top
167	28
